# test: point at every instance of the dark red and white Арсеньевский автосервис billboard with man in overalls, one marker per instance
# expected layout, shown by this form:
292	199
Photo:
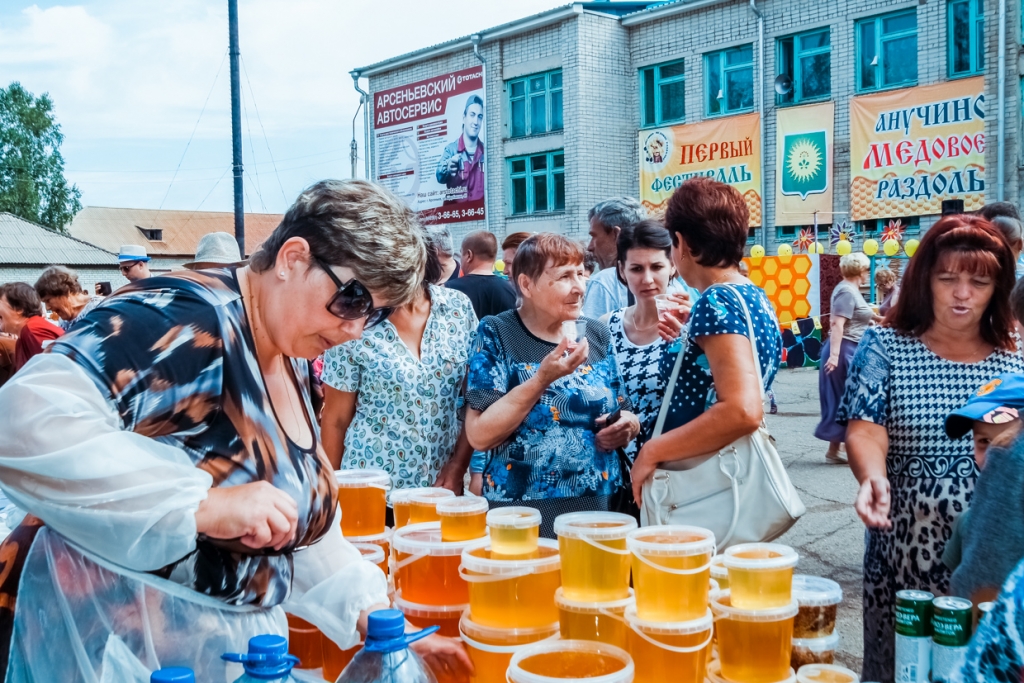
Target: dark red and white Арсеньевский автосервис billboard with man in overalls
429	146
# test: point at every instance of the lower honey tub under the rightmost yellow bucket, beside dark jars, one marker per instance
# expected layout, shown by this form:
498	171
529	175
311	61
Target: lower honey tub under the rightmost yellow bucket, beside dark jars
754	647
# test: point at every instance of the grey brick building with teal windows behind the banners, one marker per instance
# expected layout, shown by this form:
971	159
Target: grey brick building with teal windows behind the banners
604	73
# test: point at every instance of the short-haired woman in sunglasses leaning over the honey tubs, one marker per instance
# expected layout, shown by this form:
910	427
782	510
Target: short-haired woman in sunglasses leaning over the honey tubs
167	456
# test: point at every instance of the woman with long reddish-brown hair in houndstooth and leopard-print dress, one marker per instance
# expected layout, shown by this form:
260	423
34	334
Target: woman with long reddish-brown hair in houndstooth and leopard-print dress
950	332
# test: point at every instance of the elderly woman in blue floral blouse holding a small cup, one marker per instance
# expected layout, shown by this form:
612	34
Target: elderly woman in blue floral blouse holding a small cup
538	402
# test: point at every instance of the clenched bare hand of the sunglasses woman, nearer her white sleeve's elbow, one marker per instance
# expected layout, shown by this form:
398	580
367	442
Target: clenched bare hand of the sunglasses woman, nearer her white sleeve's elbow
258	515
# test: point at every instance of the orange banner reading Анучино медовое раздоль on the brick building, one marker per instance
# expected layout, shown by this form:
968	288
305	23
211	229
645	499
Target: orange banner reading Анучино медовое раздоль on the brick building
912	149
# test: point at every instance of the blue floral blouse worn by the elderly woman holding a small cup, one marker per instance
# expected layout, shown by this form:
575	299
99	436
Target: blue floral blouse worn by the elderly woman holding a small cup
553	453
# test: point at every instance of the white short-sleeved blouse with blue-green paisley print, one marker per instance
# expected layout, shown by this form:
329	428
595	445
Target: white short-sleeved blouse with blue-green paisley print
407	413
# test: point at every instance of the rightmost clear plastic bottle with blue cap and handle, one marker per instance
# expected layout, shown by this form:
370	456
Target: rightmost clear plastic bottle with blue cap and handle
387	658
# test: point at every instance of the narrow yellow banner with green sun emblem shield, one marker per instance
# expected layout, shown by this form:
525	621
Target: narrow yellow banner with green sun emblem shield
804	164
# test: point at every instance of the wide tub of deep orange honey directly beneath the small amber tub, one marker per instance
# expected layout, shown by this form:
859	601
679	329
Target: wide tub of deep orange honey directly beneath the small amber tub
426	570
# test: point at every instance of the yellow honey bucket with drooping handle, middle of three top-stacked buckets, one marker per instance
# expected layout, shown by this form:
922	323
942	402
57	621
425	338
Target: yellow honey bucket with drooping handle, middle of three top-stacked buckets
671	572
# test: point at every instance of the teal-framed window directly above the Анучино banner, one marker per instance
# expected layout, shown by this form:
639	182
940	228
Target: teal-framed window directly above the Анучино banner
887	52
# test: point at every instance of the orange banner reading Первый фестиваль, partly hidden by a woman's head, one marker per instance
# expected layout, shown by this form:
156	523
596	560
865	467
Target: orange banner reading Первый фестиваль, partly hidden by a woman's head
728	150
